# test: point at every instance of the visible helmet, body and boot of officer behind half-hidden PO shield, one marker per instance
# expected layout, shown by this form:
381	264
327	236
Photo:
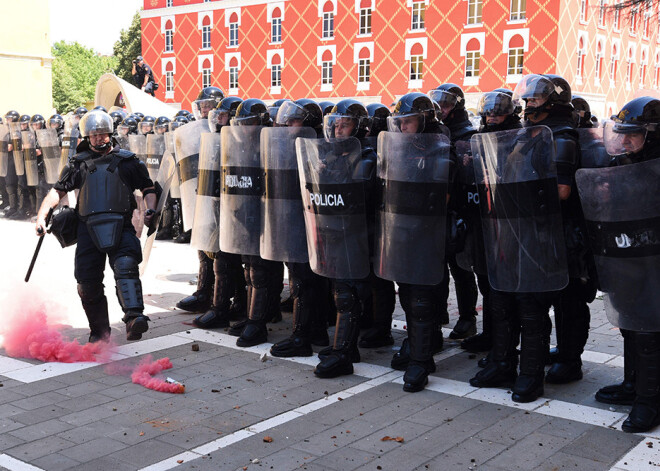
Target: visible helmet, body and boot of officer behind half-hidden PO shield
451	100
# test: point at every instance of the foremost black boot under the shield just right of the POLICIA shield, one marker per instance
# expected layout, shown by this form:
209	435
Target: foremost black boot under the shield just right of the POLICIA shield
421	364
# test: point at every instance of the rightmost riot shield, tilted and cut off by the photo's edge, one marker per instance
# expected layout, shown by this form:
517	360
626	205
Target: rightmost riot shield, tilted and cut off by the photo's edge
622	209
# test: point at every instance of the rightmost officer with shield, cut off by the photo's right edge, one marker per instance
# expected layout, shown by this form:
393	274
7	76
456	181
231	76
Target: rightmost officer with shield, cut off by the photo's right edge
617	199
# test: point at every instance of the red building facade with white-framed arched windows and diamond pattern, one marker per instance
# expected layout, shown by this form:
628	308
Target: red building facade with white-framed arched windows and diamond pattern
377	50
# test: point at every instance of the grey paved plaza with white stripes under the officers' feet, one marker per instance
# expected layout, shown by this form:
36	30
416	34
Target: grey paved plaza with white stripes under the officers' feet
245	410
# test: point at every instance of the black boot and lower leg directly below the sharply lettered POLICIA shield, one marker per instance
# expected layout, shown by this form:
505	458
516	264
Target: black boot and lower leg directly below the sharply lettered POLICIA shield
347	328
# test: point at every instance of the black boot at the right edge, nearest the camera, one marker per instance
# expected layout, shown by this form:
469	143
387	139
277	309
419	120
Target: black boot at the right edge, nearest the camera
645	412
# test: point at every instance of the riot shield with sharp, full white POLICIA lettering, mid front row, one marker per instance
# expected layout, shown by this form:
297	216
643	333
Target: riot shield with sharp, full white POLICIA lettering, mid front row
334	207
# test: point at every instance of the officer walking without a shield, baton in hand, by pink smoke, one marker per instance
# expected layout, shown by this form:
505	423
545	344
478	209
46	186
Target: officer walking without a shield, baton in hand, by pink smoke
104	227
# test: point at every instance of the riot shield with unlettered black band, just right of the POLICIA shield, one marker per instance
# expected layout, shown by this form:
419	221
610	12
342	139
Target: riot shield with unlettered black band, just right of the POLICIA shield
413	170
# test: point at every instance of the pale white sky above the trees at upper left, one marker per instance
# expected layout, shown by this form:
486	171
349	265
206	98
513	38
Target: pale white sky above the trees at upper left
94	24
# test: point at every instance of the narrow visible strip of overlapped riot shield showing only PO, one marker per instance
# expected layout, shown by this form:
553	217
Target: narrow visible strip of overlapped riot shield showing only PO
472	256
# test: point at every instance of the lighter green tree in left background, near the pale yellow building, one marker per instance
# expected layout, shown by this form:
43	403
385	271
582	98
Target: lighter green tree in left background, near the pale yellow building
76	69
